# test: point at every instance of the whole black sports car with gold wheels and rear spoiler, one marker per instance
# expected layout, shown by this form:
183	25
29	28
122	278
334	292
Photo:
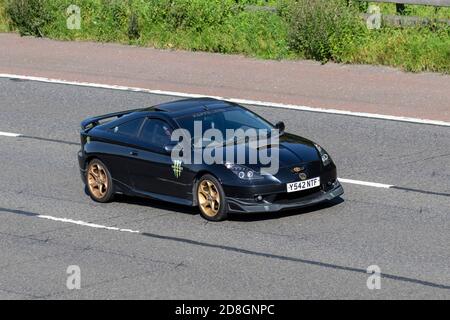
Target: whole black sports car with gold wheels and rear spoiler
131	152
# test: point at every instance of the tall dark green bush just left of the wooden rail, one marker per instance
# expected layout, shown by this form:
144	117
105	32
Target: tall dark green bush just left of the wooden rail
317	27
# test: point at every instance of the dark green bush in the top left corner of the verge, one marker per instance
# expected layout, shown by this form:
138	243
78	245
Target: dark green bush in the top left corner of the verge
28	16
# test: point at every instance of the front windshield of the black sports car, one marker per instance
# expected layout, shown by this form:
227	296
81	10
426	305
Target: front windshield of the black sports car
223	120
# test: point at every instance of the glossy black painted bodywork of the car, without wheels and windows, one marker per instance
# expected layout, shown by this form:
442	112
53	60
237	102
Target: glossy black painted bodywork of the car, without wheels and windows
139	169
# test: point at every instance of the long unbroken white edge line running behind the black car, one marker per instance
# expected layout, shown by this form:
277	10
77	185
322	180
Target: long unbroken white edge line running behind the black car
240	101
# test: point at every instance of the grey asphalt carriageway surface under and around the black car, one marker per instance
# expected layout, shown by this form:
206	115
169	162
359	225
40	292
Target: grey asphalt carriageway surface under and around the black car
321	252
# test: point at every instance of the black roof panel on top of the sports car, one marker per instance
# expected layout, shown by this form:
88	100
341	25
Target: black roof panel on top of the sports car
184	107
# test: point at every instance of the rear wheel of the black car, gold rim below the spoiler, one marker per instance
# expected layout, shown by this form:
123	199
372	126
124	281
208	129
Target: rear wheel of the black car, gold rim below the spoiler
99	182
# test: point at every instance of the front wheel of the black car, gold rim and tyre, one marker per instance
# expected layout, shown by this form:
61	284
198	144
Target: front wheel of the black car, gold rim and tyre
211	199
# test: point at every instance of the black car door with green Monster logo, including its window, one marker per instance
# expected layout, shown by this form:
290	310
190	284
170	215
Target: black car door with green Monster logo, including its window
153	170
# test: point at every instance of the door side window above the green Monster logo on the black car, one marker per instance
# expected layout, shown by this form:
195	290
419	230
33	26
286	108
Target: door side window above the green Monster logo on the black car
156	133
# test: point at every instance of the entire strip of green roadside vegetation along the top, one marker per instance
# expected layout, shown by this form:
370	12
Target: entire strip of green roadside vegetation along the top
324	30
